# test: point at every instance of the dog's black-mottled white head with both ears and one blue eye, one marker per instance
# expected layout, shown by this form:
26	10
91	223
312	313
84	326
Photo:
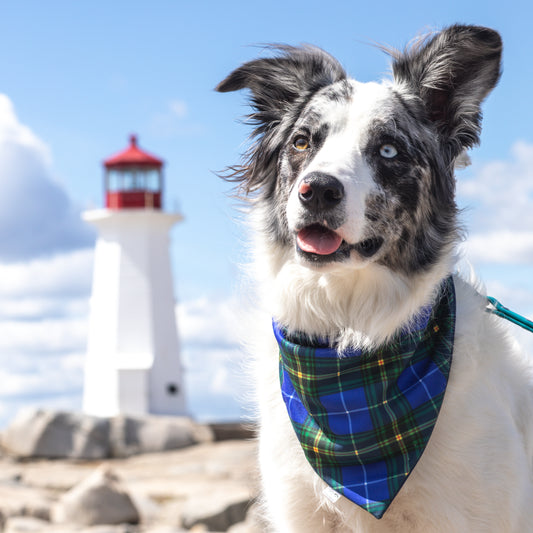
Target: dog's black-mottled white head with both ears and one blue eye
356	173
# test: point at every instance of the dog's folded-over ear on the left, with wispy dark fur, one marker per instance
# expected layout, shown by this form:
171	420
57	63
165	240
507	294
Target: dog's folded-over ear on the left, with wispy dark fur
280	87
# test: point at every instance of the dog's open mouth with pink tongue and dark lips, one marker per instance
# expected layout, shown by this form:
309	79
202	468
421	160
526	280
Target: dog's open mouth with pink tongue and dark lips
322	243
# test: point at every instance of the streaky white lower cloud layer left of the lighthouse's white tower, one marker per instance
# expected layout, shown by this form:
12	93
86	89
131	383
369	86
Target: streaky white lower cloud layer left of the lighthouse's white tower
44	320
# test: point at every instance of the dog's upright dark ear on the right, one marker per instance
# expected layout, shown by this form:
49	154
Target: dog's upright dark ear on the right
453	71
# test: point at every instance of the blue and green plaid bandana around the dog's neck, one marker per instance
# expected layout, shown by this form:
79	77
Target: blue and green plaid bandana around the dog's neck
363	419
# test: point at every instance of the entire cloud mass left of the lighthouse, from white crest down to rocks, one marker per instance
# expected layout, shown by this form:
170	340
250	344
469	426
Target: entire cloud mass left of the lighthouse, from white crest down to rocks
45	271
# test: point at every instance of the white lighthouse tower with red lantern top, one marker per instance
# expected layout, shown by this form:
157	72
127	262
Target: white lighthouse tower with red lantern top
133	357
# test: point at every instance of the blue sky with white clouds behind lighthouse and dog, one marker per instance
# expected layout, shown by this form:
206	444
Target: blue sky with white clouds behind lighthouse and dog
77	78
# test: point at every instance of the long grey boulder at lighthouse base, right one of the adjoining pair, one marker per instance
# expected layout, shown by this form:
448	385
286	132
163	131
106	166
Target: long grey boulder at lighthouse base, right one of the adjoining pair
134	435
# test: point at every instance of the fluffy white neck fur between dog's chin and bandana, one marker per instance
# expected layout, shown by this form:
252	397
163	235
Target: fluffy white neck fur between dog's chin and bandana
360	308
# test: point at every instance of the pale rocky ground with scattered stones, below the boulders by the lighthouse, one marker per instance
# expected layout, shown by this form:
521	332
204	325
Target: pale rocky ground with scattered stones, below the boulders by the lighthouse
207	486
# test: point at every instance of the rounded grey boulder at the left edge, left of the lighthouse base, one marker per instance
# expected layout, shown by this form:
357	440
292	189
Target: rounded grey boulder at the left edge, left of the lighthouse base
56	434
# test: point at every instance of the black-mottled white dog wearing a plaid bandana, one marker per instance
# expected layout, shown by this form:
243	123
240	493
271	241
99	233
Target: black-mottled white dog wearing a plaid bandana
389	399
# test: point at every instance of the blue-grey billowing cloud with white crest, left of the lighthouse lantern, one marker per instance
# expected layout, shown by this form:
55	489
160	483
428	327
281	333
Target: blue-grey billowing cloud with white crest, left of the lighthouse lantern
37	217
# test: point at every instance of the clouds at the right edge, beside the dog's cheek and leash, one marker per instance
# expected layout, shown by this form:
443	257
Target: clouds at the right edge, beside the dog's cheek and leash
500	241
